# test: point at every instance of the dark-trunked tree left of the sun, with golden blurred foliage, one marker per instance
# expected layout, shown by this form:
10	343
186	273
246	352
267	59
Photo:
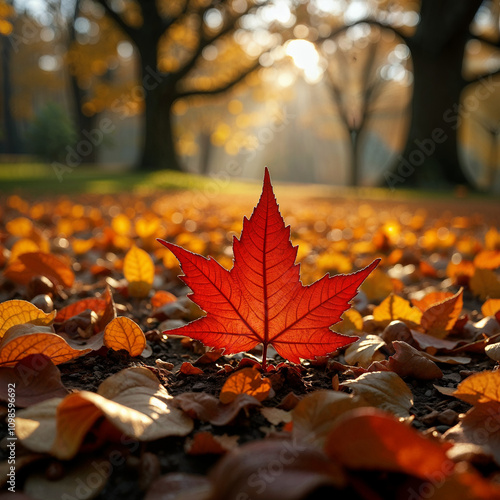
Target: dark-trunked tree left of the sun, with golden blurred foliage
186	48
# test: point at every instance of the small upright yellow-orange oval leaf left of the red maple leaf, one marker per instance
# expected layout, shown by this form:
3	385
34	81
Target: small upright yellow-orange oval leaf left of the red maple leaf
139	271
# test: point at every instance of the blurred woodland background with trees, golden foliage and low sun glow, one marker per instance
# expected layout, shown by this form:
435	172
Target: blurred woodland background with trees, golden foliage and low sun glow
398	94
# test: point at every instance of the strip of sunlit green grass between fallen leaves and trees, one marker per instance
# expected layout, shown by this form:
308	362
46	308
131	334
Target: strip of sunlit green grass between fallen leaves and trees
42	180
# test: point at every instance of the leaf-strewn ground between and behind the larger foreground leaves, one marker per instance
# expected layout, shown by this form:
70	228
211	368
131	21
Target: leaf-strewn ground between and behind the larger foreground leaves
422	246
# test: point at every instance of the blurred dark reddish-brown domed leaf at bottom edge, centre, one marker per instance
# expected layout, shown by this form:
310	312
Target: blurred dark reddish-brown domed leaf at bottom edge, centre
242	473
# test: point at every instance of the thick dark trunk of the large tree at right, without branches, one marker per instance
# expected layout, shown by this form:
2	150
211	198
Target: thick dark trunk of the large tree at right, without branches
431	154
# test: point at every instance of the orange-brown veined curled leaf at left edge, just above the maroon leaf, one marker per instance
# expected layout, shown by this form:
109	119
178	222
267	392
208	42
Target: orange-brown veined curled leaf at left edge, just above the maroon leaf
23	340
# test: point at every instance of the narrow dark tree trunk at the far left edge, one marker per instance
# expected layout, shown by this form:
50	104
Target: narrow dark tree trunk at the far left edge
10	140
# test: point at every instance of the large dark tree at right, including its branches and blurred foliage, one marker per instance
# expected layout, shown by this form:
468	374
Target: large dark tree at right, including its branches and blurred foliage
436	33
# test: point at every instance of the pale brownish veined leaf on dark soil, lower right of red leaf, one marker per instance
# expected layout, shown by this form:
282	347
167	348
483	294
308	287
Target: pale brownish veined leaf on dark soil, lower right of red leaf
384	390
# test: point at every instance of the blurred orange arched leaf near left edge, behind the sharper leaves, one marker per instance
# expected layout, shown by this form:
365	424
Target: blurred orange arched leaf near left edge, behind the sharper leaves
33	264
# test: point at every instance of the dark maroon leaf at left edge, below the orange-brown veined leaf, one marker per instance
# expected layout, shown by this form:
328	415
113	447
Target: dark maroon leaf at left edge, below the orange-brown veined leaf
35	378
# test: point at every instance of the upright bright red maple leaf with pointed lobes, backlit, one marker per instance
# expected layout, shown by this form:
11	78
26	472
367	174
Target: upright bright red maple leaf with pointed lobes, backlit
261	299
